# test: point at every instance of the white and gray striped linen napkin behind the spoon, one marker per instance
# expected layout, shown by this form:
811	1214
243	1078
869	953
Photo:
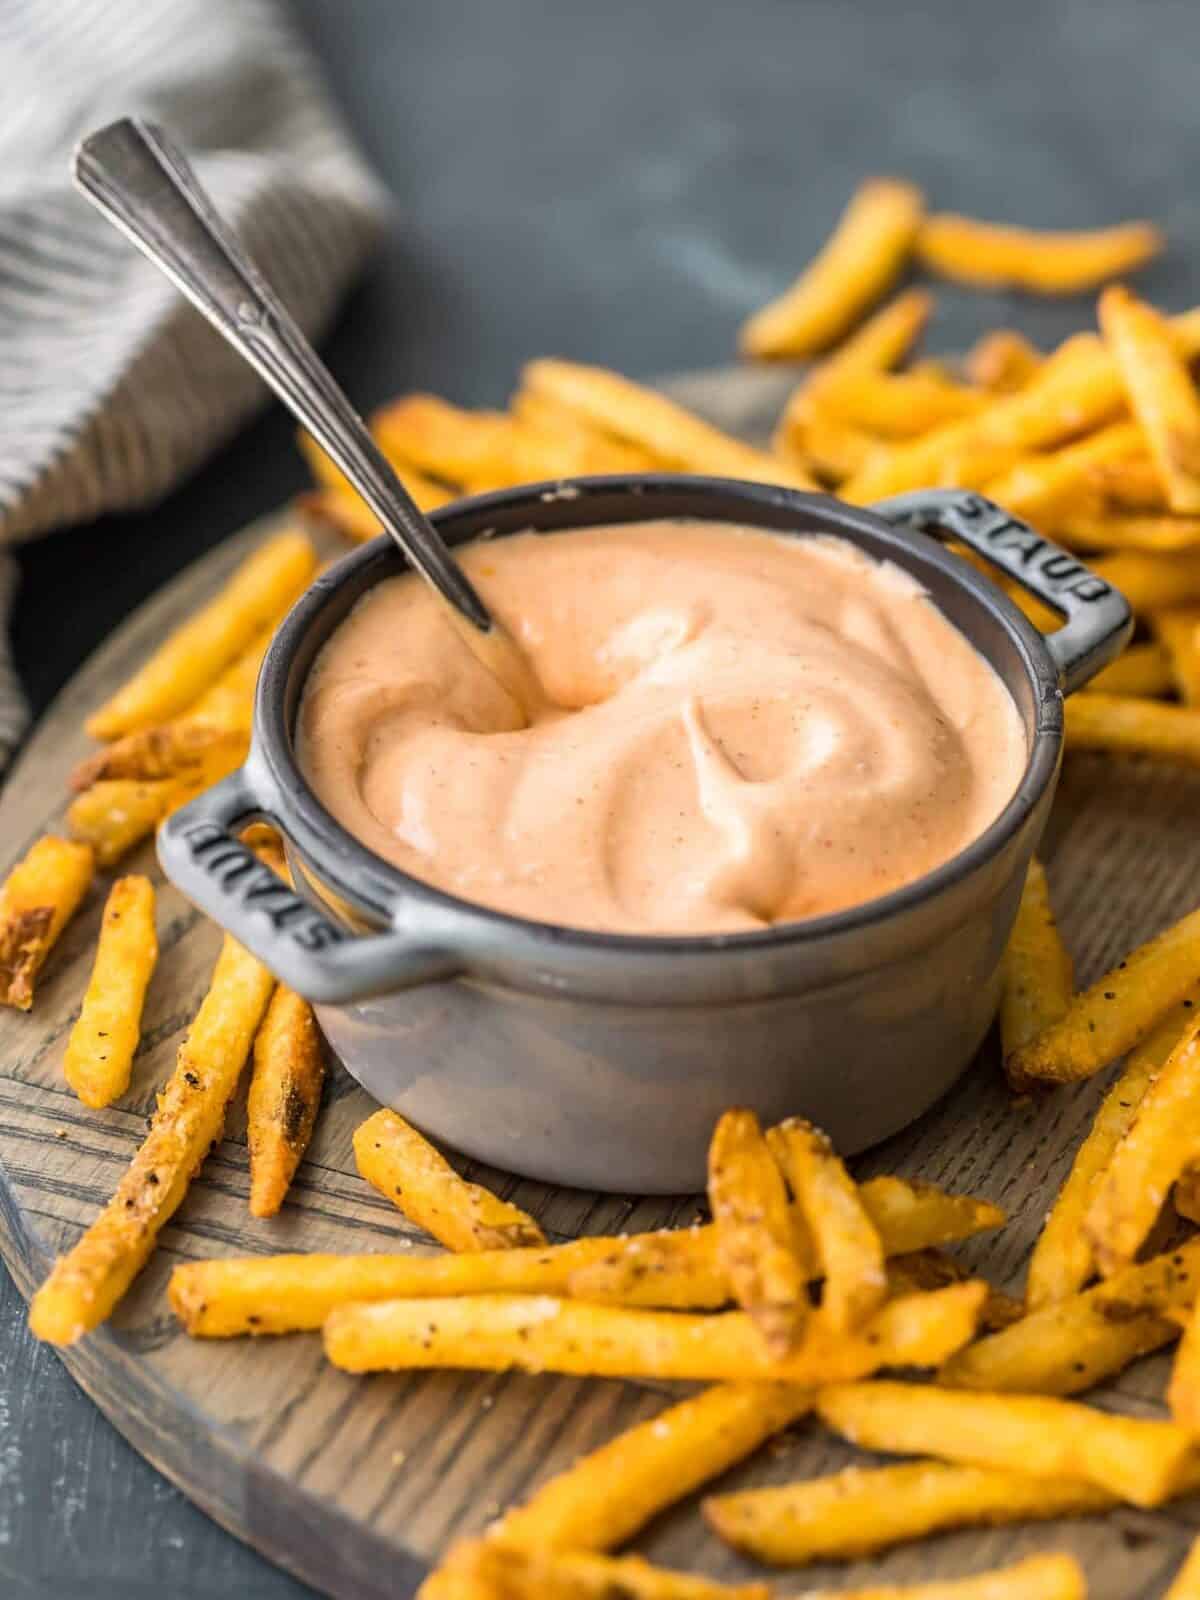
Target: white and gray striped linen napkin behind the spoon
111	386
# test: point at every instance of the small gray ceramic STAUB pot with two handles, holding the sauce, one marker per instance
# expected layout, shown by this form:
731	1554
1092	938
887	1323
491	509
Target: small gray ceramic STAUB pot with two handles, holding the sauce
604	1060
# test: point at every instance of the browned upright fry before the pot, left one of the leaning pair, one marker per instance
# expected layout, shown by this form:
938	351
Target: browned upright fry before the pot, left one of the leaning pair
756	1231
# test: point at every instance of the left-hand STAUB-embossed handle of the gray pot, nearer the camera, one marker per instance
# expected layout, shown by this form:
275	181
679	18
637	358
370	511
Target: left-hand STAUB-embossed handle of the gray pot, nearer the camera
202	855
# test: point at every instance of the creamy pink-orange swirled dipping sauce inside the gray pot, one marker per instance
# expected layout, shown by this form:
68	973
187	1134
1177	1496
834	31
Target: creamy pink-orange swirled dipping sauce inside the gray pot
740	730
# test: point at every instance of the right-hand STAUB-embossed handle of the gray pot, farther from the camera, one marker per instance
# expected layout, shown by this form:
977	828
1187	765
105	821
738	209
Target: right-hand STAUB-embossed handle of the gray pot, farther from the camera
1098	618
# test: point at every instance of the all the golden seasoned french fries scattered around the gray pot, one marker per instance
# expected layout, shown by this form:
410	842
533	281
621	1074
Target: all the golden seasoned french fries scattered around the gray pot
806	1286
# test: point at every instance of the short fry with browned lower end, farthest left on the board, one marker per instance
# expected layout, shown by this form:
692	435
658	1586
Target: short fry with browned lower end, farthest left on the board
39	898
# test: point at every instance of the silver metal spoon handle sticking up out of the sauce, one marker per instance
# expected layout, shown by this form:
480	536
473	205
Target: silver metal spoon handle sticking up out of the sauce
148	190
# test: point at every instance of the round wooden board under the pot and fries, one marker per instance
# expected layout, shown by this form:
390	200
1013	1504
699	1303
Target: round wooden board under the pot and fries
358	1484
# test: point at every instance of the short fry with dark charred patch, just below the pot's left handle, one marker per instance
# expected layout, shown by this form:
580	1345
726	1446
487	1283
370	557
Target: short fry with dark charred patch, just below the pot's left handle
286	1095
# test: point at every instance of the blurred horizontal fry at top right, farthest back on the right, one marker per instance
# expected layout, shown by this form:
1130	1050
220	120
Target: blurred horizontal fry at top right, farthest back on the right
993	255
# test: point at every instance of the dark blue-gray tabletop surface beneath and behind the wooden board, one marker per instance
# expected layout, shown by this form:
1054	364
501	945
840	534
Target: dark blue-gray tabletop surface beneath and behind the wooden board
618	183
